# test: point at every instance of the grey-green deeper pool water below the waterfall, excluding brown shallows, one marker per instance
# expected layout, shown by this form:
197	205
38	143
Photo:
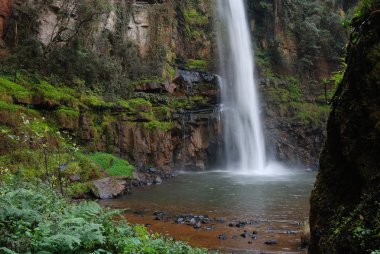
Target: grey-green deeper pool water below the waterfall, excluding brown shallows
241	196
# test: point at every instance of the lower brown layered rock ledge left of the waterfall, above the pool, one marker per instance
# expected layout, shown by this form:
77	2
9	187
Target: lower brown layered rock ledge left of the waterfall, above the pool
192	140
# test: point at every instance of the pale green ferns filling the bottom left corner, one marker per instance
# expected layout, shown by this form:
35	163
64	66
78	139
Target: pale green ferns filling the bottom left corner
35	219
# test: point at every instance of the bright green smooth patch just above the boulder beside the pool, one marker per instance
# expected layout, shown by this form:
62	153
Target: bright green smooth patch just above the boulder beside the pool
113	165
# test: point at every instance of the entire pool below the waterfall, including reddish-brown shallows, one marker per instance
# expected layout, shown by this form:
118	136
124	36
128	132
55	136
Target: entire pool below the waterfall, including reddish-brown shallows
246	211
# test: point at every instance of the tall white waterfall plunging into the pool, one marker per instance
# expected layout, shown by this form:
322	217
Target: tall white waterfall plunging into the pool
243	134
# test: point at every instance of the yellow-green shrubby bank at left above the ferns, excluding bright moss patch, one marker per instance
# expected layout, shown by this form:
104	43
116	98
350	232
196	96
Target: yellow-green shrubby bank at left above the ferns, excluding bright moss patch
39	151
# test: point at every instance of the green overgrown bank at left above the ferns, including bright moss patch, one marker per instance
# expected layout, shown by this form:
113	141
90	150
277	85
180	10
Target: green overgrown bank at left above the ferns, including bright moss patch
36	149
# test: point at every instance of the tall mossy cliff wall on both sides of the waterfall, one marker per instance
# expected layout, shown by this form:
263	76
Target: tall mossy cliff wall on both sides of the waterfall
128	49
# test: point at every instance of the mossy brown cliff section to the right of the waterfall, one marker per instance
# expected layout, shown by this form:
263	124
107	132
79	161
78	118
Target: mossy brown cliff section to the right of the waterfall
289	48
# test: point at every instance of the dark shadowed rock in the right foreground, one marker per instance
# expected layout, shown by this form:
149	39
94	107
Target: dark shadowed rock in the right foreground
344	215
